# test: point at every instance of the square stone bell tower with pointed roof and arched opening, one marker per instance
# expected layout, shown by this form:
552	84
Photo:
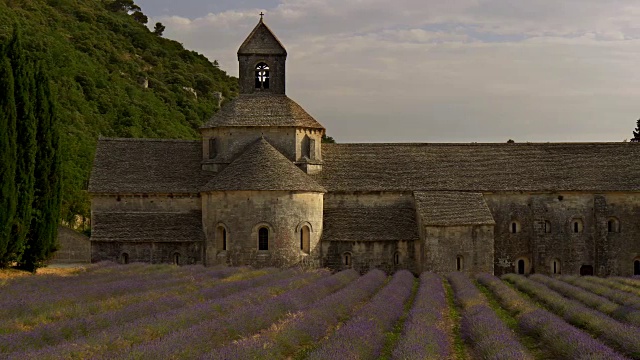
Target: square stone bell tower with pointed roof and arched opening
262	62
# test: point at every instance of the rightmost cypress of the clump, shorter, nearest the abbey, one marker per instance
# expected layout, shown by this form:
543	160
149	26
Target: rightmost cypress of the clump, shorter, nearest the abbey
41	241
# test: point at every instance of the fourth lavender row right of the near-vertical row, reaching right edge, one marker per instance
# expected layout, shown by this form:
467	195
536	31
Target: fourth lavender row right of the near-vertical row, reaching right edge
600	303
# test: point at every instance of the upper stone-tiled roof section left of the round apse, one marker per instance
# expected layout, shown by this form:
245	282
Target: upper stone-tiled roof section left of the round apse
147	166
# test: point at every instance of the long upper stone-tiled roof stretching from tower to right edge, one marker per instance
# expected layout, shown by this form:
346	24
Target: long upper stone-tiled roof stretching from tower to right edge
481	167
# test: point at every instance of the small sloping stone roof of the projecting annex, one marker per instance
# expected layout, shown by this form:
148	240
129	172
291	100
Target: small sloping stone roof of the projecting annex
449	208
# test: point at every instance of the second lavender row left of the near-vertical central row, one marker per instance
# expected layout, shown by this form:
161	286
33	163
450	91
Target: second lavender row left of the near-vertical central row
307	326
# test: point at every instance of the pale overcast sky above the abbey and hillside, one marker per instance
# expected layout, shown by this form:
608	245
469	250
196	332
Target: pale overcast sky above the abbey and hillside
439	71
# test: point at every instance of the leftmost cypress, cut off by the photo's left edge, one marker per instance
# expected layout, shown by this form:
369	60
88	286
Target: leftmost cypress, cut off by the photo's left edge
7	157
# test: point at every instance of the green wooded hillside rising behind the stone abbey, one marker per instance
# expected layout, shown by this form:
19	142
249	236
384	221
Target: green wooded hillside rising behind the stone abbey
100	59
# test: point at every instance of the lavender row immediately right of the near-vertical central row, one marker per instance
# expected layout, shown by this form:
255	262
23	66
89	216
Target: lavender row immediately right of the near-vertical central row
489	337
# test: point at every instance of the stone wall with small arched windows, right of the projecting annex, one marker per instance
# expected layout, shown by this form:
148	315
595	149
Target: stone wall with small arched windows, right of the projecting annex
545	232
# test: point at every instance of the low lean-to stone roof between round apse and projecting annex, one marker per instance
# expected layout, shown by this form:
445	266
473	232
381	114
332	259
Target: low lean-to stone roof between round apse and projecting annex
370	223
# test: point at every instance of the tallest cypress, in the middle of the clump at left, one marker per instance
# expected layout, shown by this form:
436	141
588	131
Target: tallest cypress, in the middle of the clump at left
24	90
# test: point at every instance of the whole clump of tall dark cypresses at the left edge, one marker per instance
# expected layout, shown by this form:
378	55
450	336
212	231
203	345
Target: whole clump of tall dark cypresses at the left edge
29	227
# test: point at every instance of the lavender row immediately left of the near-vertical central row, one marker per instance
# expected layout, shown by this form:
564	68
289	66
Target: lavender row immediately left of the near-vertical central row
363	336
